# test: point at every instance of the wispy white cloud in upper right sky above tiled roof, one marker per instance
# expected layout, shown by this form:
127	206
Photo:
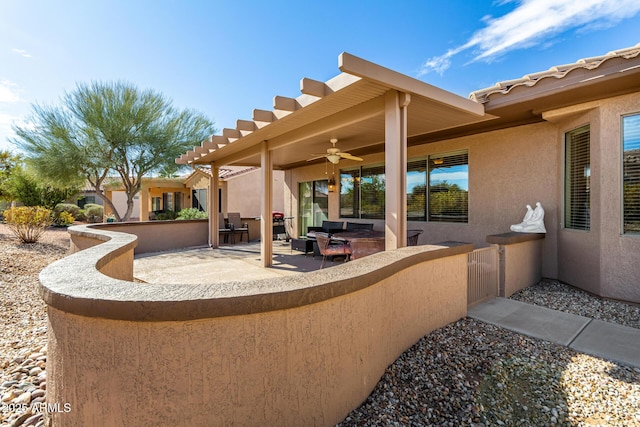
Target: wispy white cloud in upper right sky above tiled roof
534	21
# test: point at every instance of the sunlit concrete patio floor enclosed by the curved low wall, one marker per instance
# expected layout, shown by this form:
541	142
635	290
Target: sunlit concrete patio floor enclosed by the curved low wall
237	262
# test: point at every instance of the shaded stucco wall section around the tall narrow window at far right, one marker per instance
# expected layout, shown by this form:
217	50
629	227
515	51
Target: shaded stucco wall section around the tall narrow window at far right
601	260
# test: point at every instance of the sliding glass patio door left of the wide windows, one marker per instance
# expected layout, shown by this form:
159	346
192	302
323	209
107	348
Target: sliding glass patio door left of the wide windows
313	206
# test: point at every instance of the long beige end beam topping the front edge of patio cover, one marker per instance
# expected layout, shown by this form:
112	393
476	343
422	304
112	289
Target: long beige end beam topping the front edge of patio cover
351	64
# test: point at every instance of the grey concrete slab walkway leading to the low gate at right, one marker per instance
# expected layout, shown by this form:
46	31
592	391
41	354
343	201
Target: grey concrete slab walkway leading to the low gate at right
617	343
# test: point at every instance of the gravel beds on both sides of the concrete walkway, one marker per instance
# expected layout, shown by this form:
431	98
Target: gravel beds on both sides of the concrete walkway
470	373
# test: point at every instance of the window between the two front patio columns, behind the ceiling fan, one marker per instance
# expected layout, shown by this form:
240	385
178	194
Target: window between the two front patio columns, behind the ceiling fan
362	192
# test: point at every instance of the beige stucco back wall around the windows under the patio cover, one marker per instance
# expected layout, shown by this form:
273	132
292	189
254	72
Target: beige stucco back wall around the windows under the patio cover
508	169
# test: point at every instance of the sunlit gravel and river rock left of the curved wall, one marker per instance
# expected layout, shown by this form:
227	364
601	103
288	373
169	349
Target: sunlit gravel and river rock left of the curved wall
23	316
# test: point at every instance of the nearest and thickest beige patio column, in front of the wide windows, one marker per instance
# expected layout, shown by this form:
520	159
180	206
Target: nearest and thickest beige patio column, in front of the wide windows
395	113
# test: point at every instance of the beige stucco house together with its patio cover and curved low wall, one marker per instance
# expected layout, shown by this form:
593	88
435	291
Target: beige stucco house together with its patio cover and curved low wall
306	349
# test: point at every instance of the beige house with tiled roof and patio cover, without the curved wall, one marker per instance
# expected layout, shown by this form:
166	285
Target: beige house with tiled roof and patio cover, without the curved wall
461	169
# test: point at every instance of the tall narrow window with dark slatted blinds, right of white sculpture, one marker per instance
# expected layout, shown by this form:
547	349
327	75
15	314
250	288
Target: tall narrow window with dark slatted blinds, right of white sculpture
577	169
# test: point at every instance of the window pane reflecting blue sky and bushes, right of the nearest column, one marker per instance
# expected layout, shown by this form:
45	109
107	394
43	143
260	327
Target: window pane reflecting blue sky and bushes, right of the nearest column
449	187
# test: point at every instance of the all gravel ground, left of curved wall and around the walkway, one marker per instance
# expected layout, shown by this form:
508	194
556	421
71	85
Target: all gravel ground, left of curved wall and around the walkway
467	373
